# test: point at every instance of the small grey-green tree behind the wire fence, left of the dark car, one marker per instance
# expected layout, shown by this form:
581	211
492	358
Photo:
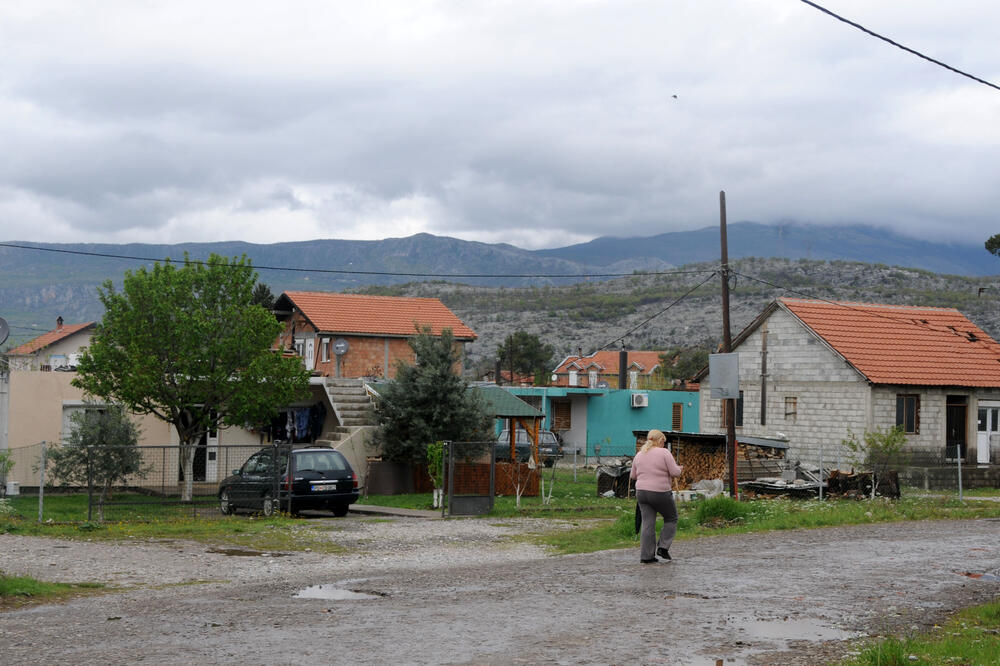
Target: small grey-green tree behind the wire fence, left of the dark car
102	450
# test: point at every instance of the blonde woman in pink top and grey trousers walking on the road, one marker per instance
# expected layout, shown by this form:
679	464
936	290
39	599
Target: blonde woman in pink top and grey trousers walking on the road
652	470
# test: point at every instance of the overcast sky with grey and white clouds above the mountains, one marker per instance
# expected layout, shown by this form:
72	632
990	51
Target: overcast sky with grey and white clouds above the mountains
535	123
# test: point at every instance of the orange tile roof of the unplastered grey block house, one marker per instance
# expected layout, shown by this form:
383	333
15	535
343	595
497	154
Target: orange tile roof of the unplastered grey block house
896	344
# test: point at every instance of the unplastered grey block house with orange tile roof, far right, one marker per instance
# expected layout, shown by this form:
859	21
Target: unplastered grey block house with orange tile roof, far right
817	371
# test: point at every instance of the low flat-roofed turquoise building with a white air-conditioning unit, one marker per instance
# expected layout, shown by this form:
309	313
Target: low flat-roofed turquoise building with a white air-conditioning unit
588	418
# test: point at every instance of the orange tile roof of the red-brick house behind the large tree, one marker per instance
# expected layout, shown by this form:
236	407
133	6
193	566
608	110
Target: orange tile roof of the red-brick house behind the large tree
376	315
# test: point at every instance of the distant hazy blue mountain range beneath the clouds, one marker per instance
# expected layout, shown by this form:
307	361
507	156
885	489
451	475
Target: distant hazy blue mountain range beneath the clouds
41	281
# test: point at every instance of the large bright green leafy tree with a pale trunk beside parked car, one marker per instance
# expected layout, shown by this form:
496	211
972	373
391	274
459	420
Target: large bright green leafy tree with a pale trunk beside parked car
186	344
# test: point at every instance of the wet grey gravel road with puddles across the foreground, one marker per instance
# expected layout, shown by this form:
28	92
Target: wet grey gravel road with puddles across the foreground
461	591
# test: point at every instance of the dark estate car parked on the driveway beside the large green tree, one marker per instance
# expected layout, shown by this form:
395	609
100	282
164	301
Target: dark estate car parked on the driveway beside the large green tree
306	478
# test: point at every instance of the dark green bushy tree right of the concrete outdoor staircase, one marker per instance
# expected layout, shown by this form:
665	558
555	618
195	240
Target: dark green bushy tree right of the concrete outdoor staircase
428	401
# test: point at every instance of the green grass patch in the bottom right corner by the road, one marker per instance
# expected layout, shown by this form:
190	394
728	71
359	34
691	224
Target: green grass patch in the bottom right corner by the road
971	637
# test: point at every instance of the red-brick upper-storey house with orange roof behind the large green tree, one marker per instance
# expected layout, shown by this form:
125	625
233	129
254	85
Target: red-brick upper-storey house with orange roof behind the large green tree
354	335
